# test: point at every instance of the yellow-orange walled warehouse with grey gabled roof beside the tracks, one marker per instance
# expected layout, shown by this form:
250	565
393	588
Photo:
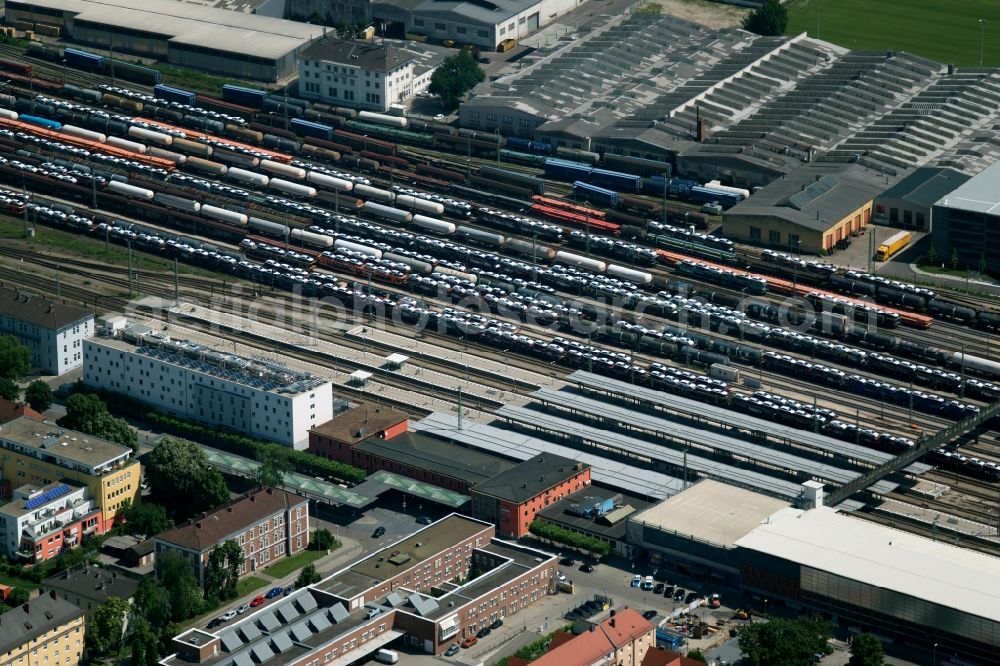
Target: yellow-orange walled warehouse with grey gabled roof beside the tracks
810	210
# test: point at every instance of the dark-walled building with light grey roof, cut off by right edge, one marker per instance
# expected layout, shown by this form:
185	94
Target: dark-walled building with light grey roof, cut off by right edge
967	222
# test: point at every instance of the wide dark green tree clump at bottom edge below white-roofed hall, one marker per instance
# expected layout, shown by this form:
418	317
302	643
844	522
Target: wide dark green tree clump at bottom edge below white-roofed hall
781	642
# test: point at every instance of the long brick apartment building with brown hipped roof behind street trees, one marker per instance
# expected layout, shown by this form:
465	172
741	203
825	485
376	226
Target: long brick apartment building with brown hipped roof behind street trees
269	525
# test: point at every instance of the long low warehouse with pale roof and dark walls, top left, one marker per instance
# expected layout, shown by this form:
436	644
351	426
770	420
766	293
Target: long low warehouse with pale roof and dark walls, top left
228	43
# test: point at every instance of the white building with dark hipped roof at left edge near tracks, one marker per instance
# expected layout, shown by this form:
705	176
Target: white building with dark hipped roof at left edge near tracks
53	331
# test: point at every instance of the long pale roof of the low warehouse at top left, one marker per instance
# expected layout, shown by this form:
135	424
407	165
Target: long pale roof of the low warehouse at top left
206	27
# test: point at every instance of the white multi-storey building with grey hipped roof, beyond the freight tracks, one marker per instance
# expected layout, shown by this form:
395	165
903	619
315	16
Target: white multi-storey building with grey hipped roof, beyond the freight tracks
358	74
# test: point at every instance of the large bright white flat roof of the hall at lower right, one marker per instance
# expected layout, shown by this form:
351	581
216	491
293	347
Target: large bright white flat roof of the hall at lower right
883	557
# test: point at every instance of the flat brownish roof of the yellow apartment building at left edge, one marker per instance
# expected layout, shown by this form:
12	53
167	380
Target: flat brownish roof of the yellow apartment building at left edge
70	445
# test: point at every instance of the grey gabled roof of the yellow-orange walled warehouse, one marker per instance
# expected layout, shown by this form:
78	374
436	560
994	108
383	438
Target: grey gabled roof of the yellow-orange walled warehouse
815	197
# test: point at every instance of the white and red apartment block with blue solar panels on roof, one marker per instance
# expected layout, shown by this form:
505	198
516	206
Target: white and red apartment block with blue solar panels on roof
43	520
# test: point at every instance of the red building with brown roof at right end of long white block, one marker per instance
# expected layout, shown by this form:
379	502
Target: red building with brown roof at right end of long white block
337	437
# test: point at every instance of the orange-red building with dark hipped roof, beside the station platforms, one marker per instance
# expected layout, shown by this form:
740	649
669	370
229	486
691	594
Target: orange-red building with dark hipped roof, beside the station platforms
513	498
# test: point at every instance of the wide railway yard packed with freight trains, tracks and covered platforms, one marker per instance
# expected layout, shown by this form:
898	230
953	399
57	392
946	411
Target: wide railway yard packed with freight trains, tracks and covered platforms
584	304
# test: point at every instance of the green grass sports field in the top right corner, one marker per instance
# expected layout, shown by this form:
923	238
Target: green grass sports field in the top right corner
947	31
